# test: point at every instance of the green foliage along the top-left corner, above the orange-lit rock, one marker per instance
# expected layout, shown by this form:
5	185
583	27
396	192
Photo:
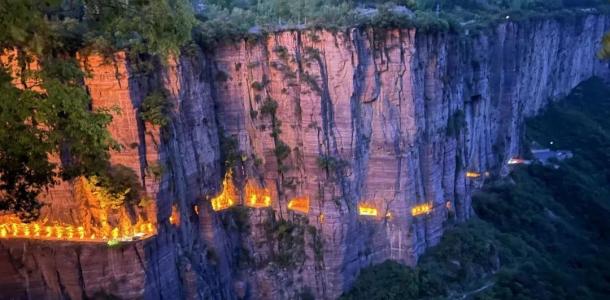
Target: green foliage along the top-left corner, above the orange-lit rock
153	27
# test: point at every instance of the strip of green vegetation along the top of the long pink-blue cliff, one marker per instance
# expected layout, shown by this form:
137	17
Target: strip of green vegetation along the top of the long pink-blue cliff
225	19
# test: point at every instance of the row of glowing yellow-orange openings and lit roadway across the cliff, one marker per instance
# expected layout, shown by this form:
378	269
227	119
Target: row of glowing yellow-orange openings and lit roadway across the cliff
255	197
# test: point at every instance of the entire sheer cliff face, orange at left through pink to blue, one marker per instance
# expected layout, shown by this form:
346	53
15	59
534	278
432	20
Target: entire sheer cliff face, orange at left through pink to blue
388	120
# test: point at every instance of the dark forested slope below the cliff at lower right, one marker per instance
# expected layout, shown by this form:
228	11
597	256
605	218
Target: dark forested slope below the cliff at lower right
543	233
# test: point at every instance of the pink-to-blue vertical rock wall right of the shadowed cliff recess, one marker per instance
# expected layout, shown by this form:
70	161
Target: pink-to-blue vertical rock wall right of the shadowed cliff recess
401	116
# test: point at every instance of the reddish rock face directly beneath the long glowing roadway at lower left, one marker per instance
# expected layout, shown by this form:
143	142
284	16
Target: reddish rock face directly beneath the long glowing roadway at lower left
40	270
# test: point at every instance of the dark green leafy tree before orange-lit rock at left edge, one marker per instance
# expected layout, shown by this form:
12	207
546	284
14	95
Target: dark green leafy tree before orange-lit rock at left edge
37	125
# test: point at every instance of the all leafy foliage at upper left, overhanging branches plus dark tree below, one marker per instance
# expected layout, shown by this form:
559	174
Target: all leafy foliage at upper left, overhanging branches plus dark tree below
48	117
